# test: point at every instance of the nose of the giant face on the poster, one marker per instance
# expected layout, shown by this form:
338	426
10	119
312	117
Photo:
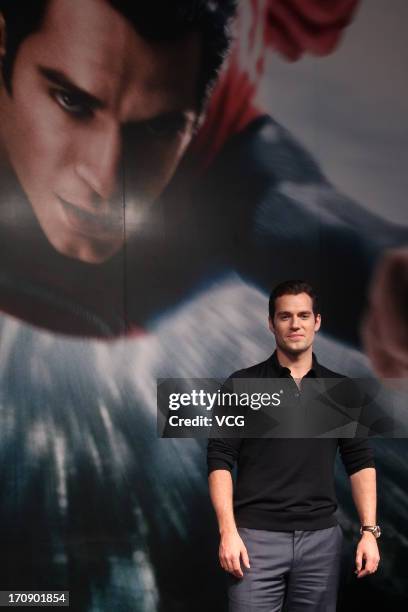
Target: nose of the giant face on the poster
99	161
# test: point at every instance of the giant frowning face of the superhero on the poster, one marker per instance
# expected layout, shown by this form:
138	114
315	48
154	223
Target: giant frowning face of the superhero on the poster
98	119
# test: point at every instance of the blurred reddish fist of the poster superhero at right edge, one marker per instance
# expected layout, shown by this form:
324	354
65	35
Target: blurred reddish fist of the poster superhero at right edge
385	328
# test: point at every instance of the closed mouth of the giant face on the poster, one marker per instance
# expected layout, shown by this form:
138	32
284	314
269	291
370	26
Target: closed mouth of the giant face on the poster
88	223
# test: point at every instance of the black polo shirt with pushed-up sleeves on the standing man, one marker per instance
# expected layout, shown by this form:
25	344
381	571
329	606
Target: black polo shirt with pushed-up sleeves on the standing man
286	484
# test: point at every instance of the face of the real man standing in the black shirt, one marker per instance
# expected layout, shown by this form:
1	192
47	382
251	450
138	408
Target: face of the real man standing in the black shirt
294	324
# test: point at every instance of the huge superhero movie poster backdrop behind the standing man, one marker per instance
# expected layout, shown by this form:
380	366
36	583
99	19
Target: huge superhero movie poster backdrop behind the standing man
139	239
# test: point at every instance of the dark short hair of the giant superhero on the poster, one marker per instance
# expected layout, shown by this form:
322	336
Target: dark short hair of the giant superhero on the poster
158	20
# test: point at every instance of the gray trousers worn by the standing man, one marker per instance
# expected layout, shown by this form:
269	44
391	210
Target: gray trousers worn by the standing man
298	568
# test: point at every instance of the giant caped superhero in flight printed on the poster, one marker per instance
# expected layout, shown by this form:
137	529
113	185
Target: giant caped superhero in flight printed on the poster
135	166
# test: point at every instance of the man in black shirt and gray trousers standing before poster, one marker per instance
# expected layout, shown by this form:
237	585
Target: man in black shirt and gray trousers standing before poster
279	536
